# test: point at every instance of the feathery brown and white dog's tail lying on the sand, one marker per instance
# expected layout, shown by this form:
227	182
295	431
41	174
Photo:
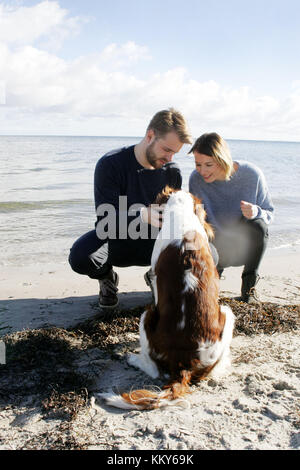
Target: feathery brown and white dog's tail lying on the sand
171	394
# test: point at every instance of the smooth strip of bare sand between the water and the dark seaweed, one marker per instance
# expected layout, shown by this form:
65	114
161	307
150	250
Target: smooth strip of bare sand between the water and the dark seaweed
53	295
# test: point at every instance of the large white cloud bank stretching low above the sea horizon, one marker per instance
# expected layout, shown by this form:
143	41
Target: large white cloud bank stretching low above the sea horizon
99	94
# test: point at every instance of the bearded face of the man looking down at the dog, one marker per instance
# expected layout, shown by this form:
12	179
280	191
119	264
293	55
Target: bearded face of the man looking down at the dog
160	150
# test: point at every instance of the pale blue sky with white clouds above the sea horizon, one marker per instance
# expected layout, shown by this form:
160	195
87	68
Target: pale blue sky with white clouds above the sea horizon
99	68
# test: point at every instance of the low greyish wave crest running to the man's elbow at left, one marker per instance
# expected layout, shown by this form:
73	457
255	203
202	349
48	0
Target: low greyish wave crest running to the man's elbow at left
17	206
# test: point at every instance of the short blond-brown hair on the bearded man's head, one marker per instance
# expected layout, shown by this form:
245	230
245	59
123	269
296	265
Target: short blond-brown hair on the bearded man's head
170	120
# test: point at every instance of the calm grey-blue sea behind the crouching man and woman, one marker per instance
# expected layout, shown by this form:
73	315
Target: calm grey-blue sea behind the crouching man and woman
46	191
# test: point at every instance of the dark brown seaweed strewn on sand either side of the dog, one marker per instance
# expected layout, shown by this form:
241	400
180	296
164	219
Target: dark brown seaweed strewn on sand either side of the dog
41	364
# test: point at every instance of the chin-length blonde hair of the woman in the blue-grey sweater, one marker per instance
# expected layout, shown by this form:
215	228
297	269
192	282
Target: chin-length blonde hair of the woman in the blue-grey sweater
216	147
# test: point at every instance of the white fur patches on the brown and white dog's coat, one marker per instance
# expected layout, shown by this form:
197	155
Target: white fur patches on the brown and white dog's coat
179	219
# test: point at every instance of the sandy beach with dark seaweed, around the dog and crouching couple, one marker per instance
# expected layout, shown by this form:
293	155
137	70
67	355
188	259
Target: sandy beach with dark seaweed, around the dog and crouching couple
255	407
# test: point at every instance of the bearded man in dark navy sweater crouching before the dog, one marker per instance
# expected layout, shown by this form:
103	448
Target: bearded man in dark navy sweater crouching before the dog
126	183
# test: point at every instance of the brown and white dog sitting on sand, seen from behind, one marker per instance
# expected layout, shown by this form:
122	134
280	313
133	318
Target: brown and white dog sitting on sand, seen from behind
186	334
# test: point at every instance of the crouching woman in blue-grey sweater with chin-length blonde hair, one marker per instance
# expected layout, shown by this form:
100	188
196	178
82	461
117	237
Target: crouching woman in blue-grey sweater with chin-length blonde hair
238	206
